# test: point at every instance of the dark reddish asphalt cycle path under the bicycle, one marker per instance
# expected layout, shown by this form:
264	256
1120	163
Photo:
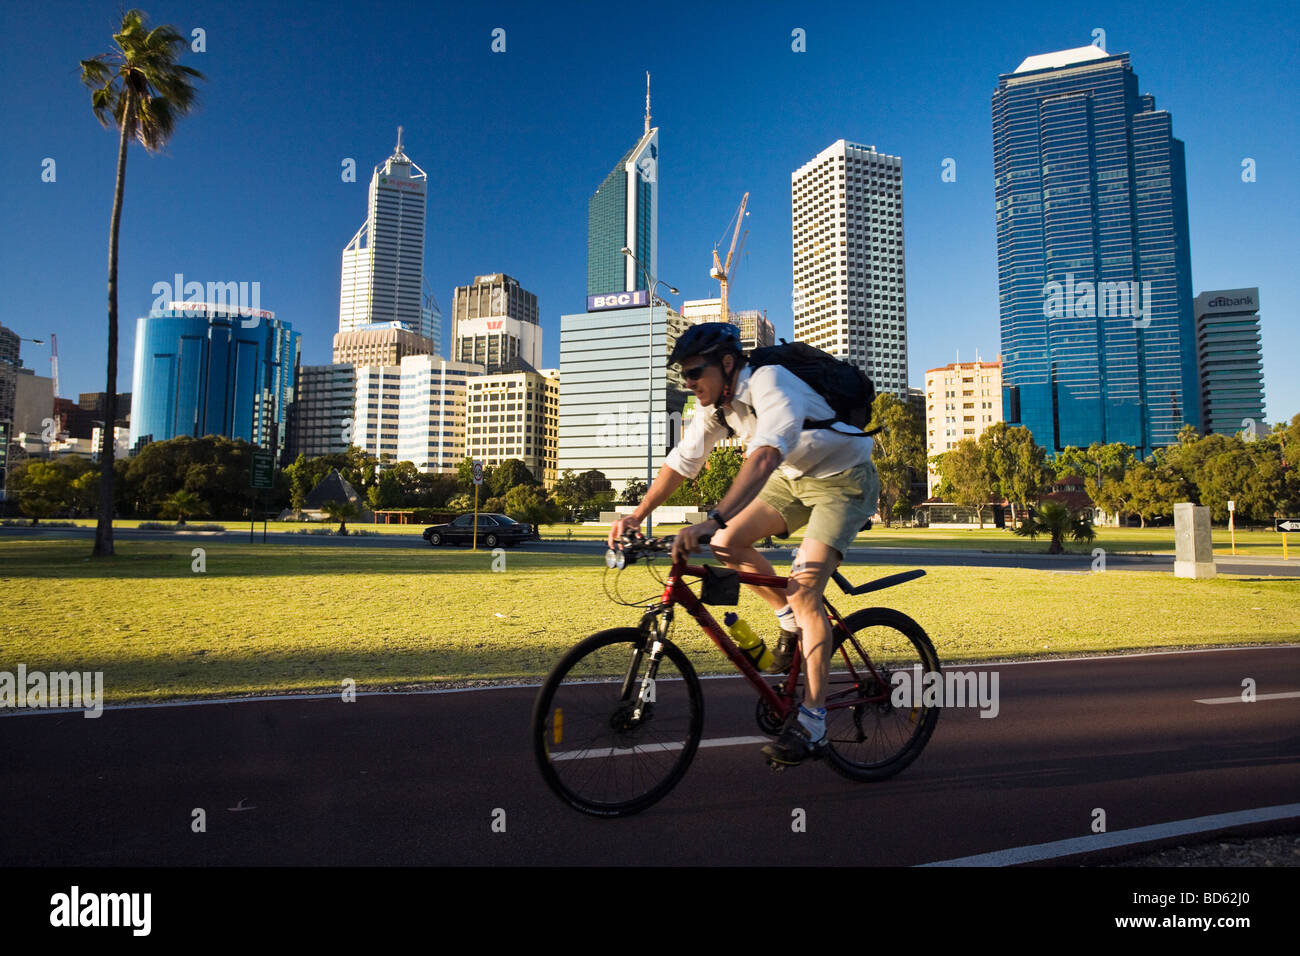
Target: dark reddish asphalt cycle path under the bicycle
423	778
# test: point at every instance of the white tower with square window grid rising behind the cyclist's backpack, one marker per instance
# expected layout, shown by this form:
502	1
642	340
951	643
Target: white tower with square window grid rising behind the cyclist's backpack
850	292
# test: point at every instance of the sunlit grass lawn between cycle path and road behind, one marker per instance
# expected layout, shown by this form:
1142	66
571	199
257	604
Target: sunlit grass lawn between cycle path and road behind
267	618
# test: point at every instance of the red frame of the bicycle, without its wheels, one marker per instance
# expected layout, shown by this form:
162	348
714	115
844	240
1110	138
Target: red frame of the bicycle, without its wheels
655	625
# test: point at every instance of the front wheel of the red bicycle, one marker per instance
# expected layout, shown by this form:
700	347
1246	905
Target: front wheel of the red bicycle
614	729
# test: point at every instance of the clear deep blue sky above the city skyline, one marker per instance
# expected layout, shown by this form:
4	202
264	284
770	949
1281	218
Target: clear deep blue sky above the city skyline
517	142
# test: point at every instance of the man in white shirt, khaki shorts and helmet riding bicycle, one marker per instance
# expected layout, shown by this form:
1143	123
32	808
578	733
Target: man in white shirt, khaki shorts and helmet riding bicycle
792	477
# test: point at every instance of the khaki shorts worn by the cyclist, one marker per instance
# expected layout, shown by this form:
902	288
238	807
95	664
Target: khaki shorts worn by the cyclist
834	508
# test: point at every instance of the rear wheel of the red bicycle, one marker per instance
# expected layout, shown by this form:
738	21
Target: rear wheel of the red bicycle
877	741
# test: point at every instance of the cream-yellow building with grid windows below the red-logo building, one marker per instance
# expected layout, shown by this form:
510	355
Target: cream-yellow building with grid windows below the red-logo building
515	416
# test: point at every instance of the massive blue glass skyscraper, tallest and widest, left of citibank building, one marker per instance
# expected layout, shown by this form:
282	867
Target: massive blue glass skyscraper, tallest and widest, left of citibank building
1094	256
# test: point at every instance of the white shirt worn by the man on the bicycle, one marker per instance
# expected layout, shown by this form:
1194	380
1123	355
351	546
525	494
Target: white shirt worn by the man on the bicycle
769	409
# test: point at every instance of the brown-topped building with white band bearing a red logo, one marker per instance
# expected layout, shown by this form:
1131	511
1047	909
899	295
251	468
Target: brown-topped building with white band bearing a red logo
495	323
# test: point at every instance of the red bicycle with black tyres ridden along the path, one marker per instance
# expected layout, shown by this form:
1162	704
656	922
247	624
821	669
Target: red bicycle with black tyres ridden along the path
631	700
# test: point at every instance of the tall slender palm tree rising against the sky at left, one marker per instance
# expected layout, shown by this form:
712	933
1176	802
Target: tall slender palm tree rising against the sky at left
141	90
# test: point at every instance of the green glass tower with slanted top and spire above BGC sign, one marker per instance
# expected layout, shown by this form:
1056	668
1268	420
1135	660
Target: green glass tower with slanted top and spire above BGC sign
625	213
